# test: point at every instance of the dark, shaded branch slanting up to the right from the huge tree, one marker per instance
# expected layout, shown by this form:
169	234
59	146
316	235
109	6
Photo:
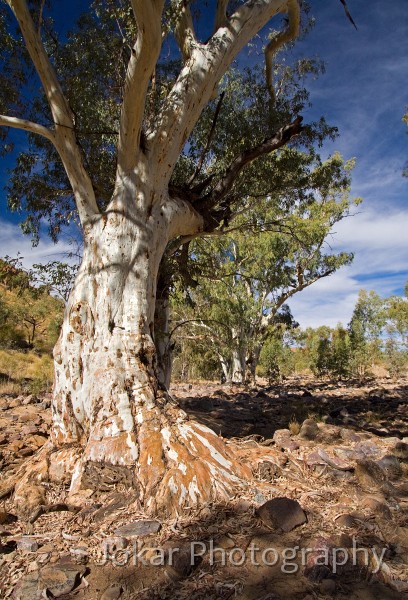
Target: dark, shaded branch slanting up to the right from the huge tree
277	140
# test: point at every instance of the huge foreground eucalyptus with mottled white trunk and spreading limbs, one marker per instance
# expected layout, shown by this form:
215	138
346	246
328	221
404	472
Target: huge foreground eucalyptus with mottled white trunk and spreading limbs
110	115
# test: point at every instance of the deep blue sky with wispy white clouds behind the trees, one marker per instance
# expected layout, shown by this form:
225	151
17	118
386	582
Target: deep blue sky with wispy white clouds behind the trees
364	93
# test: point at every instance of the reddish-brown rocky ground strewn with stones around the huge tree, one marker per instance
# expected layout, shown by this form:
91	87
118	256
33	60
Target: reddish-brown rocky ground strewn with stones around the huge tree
325	515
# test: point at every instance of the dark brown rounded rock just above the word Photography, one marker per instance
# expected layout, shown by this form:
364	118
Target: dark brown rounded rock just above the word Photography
282	513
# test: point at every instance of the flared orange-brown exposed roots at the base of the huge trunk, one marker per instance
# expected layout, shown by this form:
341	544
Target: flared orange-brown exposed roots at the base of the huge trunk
173	463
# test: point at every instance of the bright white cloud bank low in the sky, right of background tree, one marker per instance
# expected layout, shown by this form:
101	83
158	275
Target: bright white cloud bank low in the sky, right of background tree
380	243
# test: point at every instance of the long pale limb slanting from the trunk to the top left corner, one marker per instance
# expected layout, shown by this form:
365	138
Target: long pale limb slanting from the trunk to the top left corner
64	137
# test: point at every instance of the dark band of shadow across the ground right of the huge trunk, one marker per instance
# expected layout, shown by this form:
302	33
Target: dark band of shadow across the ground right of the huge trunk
261	411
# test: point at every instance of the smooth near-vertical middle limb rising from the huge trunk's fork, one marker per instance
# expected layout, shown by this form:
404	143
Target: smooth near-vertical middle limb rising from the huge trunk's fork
145	54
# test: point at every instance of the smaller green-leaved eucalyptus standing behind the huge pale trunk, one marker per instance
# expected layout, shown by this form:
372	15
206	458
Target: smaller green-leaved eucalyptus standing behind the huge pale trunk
274	250
